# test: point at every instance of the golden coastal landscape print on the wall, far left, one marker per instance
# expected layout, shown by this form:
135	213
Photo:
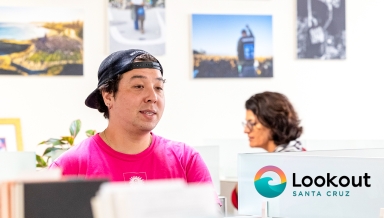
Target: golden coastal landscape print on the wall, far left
41	41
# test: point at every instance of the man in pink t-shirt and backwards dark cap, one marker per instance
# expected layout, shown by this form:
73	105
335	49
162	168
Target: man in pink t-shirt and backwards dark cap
131	96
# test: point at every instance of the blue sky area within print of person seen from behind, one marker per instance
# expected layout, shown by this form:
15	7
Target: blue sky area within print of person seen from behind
218	34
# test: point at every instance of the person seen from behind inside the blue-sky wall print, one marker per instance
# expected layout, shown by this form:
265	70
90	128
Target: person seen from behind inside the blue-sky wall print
245	54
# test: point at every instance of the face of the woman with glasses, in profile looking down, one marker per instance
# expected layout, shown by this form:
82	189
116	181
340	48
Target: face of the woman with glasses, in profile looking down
259	136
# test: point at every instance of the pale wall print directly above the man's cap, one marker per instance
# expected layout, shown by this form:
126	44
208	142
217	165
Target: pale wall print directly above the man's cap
137	24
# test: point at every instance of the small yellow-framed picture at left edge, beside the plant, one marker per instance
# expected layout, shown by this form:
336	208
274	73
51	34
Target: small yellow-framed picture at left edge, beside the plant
10	134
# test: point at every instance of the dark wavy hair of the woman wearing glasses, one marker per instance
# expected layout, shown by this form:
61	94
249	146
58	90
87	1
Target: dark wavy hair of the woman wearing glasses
275	112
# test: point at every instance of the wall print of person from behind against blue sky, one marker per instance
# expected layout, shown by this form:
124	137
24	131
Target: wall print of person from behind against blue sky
233	46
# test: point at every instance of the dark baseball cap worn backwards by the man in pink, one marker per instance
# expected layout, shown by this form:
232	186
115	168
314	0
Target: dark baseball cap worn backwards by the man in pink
118	63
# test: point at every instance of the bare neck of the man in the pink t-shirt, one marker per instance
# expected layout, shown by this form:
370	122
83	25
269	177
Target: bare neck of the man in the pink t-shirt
126	142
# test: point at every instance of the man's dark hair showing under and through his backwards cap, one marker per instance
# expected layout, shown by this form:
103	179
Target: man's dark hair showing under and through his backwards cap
111	86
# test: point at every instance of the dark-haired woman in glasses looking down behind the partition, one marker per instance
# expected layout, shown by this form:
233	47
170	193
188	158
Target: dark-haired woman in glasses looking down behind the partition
271	124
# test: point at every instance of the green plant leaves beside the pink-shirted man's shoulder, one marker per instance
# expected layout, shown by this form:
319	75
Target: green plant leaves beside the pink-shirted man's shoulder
60	145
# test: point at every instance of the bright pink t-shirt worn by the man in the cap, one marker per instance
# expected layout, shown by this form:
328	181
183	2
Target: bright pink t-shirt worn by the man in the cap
163	159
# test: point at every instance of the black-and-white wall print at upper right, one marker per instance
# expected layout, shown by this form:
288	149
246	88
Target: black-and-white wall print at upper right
321	29
